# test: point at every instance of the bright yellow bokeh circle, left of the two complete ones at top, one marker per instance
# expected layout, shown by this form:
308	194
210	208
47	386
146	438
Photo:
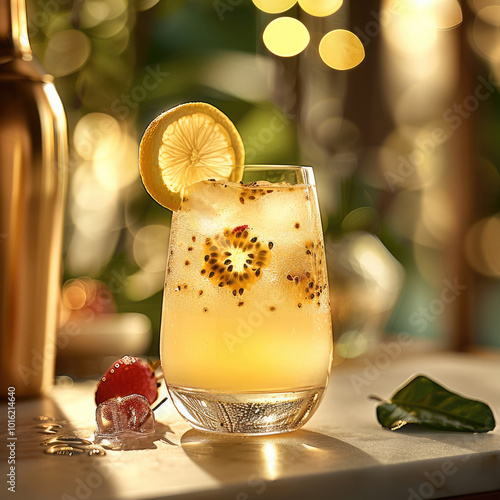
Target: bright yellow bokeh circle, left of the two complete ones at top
286	37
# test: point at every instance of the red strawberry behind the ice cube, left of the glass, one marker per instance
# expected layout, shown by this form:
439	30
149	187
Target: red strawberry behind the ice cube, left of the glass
127	376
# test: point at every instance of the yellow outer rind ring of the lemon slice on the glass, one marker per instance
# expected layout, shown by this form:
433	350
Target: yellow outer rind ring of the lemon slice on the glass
151	142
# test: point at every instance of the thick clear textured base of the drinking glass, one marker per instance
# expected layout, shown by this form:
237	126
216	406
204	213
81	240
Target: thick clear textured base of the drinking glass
246	413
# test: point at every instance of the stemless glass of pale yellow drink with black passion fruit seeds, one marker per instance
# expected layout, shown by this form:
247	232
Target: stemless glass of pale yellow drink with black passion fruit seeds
246	337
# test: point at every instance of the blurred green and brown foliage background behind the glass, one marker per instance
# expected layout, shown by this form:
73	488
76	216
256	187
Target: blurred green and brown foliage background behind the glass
117	64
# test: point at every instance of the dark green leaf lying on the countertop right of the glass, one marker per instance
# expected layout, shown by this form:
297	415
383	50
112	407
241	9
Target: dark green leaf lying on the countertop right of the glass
424	402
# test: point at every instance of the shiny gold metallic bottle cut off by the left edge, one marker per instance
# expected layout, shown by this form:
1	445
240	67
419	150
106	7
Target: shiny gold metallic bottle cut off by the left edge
33	157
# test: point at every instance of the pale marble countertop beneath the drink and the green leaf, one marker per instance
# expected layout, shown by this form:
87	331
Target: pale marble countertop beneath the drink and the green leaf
342	452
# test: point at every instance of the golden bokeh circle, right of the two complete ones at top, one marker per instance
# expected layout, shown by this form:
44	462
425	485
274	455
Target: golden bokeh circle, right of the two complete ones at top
341	49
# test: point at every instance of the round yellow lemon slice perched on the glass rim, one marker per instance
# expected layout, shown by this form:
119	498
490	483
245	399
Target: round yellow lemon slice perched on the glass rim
186	144
